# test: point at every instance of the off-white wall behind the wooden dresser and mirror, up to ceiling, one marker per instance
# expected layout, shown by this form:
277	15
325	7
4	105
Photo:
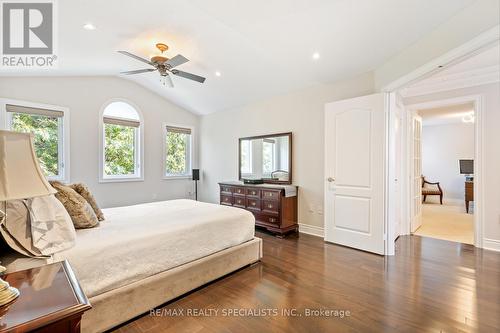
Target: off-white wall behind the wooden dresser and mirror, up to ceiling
300	112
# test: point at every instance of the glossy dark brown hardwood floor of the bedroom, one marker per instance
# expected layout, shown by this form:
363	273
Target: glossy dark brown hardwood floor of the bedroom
430	285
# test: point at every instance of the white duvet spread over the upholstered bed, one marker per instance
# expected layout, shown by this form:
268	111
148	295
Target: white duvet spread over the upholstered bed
135	242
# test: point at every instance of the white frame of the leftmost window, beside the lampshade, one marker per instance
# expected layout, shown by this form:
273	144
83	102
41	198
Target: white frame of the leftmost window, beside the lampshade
63	132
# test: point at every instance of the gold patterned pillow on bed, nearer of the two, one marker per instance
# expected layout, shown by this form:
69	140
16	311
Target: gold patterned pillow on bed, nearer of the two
79	209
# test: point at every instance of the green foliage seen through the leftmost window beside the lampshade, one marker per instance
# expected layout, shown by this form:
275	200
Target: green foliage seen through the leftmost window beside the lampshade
45	130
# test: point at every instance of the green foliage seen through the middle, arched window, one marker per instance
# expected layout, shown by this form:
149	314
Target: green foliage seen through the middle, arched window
119	151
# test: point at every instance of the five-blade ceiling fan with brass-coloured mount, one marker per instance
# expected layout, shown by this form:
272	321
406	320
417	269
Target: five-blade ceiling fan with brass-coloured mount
164	66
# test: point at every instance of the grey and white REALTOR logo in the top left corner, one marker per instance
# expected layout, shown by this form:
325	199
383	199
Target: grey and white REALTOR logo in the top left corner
28	34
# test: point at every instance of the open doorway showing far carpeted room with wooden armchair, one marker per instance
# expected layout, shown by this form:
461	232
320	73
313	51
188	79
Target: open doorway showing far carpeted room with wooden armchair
446	156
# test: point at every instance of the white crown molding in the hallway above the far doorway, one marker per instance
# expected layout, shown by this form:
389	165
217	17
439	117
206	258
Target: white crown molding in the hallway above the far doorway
461	80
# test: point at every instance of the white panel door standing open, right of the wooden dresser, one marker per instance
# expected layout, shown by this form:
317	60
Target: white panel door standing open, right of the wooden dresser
354	172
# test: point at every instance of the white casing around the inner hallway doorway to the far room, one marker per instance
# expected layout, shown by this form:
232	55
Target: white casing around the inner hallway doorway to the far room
479	130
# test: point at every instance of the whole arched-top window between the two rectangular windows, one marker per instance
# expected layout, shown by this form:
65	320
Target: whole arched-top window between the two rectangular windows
121	143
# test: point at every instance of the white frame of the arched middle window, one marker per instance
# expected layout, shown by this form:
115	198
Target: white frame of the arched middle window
138	147
